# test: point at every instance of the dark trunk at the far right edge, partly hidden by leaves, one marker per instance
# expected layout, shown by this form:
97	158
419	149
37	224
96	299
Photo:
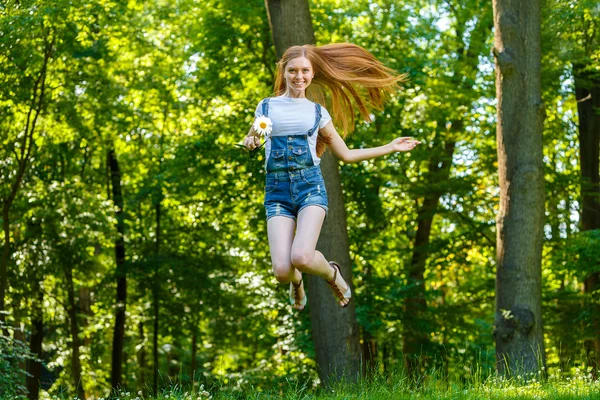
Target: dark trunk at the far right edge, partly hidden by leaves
587	93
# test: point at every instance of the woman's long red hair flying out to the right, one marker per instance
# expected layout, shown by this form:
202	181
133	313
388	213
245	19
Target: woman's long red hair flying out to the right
345	74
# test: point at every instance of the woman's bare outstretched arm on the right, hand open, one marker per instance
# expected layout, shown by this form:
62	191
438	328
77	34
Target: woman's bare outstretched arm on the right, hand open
339	148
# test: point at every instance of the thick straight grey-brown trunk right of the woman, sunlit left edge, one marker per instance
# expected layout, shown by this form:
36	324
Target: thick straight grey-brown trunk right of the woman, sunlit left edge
520	220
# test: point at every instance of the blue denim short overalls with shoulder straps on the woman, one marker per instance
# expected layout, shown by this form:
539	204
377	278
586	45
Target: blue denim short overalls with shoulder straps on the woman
293	180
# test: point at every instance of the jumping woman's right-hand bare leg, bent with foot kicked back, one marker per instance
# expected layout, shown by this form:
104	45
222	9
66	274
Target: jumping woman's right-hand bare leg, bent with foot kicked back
304	255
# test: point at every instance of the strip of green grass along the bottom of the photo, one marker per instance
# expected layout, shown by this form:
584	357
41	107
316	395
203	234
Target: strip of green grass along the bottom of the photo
579	387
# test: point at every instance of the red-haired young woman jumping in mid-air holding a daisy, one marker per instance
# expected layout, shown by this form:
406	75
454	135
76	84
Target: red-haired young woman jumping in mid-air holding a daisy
296	132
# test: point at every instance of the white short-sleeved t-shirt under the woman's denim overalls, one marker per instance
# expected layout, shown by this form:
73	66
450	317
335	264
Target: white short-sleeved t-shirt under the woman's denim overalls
293	116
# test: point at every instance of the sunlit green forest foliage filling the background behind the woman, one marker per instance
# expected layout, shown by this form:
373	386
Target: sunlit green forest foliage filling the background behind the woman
171	88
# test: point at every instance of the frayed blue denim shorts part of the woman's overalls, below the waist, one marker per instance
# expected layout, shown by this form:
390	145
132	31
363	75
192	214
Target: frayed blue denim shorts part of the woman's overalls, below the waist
288	192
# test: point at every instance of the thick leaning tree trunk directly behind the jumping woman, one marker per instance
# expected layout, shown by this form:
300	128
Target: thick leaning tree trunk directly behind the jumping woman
335	331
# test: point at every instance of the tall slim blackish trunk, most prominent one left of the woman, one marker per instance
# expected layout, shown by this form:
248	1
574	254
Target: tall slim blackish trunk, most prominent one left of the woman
120	274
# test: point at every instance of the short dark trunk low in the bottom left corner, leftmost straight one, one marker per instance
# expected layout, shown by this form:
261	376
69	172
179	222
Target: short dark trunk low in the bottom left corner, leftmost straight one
34	367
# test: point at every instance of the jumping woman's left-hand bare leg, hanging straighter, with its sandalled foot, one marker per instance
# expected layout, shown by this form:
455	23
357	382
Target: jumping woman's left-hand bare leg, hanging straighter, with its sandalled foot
280	231
